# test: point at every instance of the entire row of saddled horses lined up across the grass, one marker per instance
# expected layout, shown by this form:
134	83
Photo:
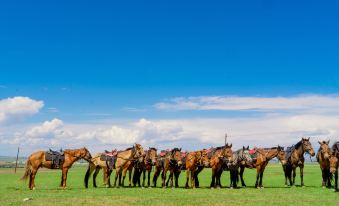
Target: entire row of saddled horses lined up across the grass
174	161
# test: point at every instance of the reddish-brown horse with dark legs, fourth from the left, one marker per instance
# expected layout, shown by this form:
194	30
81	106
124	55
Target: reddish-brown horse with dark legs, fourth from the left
146	166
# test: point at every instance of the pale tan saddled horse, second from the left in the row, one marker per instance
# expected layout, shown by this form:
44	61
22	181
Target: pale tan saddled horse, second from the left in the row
97	164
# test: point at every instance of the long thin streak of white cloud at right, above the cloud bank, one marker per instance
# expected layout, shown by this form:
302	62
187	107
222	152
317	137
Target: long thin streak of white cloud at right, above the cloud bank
302	103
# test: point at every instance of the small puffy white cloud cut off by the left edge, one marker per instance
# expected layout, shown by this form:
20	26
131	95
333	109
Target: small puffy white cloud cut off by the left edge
17	108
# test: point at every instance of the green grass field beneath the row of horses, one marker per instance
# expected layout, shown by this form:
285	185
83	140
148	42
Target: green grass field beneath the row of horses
13	191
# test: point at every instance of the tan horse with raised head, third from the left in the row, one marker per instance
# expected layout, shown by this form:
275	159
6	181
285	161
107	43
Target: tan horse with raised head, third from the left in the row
124	157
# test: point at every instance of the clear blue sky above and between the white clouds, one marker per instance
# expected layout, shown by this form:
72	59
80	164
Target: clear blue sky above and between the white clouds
90	61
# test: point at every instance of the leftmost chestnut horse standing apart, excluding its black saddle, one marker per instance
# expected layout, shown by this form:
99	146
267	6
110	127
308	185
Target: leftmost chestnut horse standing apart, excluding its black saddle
38	159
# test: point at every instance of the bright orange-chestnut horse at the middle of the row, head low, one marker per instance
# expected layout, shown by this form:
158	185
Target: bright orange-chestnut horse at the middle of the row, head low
193	161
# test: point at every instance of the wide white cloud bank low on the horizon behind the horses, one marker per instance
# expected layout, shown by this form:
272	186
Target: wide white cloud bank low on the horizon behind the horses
187	133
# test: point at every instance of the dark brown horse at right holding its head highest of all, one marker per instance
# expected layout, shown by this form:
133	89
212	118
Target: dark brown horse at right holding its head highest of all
295	158
